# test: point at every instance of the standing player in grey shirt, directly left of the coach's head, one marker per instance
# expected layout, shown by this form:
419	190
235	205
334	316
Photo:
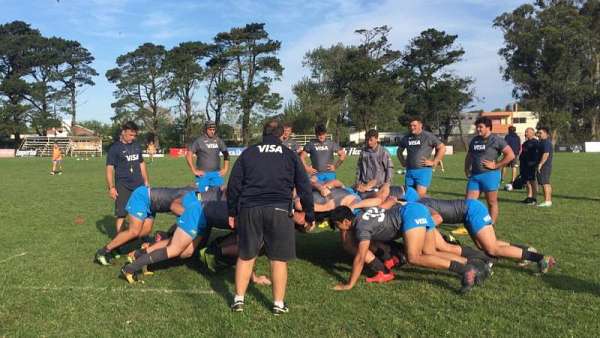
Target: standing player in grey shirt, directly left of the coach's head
207	169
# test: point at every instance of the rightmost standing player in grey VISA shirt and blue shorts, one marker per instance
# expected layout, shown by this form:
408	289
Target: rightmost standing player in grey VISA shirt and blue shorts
482	167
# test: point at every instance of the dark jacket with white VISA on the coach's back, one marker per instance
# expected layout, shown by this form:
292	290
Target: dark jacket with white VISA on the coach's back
266	174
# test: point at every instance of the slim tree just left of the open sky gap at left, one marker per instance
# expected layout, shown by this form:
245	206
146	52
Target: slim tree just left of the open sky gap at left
75	72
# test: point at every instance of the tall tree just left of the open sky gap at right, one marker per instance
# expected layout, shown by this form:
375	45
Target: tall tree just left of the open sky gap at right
432	91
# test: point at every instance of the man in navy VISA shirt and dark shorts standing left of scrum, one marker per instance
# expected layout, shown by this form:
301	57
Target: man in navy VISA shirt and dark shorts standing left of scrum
126	164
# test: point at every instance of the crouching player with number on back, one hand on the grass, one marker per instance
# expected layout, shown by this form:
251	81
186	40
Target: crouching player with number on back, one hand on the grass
413	222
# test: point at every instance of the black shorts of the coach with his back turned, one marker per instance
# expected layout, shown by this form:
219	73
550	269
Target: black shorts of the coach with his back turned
269	226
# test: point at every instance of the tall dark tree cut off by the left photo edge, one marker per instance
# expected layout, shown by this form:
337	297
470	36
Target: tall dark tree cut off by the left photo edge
16	39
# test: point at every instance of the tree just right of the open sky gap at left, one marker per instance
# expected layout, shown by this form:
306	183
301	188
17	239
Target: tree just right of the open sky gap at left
142	84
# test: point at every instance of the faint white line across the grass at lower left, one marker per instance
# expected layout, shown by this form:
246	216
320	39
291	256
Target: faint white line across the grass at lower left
109	289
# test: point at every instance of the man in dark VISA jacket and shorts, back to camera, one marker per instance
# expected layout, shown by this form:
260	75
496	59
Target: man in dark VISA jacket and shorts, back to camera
259	195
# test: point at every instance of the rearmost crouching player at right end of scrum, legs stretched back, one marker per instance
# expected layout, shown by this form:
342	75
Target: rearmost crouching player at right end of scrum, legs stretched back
476	219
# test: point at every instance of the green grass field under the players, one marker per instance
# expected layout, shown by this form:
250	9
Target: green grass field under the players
50	287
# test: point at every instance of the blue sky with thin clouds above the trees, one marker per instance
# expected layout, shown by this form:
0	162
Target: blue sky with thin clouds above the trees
109	28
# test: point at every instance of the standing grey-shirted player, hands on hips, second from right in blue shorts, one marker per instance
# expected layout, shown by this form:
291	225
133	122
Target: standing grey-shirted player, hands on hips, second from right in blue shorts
419	144
